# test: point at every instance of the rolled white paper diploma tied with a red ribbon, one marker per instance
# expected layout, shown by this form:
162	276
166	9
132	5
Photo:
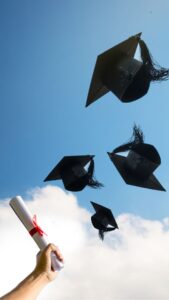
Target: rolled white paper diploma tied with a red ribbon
26	218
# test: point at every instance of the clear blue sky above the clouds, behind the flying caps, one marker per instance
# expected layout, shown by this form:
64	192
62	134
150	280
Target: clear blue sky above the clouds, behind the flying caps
48	52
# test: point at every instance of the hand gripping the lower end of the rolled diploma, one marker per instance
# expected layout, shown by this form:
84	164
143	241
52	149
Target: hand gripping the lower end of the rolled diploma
43	265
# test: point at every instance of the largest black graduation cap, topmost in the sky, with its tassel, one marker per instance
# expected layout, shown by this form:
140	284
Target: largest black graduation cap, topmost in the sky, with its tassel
117	70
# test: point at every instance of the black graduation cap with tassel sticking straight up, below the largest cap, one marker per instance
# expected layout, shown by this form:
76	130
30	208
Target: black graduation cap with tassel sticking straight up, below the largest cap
138	167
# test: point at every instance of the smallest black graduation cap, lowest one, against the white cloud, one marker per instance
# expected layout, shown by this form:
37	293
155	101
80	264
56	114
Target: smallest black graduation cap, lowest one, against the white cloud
103	219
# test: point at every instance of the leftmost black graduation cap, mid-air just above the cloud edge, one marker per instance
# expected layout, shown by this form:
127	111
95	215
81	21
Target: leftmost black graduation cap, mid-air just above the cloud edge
71	169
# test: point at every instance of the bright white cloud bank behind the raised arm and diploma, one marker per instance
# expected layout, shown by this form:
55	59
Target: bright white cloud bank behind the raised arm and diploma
131	264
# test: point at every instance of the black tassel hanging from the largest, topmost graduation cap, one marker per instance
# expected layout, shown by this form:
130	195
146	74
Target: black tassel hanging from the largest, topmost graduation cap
154	71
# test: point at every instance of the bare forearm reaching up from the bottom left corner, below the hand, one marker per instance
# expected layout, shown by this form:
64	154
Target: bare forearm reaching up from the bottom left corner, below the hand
29	288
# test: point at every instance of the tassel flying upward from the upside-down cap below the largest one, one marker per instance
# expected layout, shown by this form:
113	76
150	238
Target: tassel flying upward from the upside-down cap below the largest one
137	137
